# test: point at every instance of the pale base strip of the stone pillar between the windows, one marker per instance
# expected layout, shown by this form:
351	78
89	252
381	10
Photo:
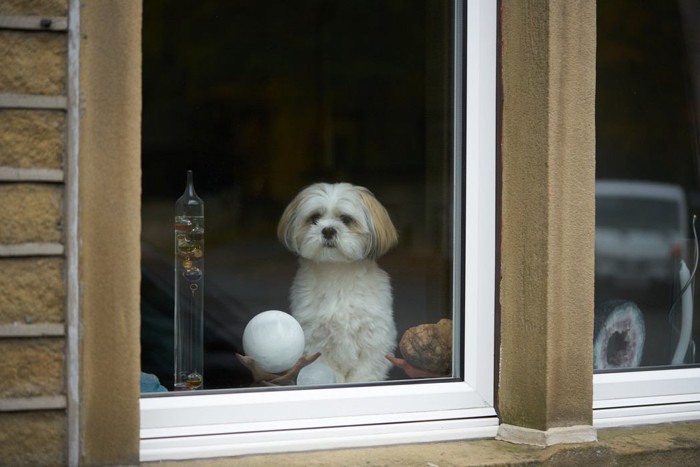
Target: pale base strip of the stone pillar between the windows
551	437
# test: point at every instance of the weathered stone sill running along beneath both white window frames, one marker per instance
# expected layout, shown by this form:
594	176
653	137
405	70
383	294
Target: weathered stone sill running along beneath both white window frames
676	444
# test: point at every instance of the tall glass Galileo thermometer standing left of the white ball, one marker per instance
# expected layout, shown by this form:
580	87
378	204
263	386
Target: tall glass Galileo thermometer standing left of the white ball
189	289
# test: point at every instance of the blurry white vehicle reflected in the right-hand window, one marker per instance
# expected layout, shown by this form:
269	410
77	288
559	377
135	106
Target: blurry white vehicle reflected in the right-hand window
641	229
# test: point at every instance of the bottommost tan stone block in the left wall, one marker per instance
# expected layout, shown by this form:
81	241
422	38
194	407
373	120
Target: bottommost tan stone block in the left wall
33	438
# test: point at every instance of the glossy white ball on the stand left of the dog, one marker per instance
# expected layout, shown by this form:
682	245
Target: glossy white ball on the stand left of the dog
274	339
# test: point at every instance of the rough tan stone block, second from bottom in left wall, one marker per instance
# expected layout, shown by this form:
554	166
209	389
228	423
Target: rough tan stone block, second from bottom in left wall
32	366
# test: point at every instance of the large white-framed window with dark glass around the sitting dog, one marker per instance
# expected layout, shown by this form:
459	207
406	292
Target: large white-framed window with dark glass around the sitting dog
262	101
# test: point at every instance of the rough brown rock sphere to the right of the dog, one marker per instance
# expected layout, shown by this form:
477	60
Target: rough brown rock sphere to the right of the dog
429	346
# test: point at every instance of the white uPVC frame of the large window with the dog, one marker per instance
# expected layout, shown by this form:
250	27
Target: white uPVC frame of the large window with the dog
282	420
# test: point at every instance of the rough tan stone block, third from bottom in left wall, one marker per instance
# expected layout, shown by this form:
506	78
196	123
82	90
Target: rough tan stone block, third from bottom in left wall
32	291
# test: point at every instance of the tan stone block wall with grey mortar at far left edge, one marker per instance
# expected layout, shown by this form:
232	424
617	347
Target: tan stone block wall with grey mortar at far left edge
33	136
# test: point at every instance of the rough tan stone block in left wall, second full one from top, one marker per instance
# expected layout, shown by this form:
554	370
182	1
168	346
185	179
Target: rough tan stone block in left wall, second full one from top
32	138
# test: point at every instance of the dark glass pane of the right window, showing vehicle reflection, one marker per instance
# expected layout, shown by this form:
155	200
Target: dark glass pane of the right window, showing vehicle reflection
647	191
